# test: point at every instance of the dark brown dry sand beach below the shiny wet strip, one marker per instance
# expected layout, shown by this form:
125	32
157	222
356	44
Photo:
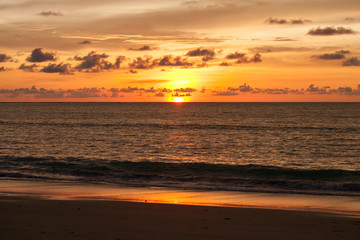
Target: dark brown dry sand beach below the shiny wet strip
34	218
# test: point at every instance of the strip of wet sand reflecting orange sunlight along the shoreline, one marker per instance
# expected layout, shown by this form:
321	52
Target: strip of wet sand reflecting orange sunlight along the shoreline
67	191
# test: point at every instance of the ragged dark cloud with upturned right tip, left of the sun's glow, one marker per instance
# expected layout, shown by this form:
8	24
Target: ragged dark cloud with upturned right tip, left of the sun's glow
94	62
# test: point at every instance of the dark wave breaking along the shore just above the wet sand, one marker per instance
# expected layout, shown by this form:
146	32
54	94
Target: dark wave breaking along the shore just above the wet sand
202	176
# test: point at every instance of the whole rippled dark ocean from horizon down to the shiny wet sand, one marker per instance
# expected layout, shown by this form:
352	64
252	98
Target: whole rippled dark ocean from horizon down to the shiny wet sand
308	148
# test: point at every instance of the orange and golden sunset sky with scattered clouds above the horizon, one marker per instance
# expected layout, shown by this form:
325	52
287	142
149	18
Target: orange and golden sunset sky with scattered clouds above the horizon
178	50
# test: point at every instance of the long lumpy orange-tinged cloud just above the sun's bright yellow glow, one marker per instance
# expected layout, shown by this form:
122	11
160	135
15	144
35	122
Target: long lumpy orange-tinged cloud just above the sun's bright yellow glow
165	61
